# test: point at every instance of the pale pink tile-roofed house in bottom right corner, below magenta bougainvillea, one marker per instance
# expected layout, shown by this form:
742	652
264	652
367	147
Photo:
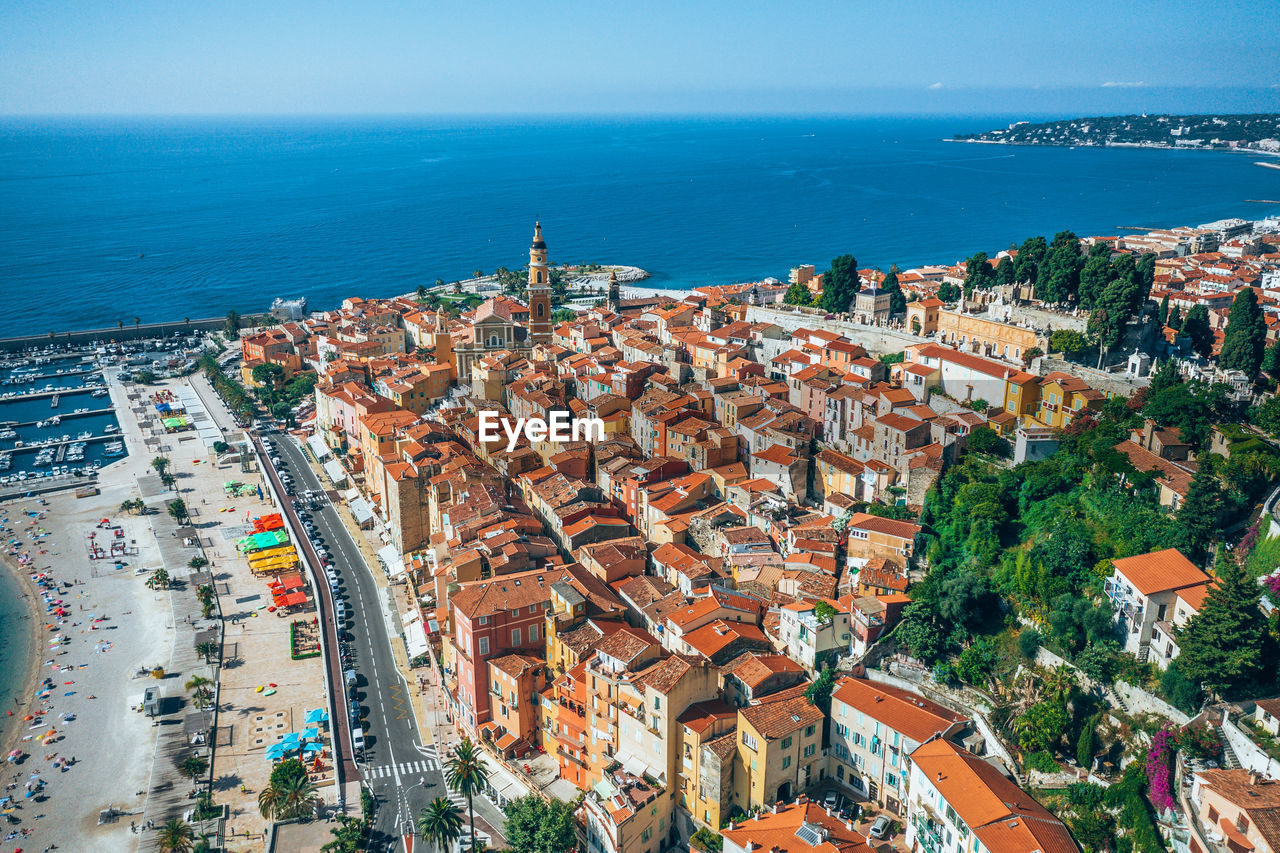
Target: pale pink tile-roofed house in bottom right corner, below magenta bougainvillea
1241	808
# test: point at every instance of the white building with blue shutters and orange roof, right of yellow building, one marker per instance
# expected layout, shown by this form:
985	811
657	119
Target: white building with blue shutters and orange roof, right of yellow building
874	731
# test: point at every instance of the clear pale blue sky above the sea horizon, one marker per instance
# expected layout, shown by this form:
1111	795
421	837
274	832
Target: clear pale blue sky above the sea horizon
419	57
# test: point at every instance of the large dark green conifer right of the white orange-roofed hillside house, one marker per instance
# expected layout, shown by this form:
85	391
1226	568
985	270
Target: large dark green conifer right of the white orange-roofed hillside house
1224	646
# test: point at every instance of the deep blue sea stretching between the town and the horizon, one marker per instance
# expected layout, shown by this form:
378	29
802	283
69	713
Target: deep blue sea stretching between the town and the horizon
107	220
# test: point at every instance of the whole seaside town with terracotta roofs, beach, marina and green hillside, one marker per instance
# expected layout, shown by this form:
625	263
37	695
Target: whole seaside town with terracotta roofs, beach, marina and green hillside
972	558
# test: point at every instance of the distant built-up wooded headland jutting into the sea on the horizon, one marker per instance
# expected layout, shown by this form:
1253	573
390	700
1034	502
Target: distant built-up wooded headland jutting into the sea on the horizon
1252	133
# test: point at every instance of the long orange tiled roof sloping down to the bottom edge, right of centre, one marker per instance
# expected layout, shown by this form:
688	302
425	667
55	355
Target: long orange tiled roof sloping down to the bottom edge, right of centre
1003	816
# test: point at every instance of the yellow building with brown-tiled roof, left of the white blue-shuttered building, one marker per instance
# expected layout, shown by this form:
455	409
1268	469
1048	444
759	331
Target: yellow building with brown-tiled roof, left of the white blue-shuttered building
779	750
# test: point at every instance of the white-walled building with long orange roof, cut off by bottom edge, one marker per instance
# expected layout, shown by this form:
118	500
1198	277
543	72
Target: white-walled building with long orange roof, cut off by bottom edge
962	802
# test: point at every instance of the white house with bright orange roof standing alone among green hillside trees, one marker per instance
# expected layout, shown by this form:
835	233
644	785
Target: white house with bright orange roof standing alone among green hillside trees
1154	595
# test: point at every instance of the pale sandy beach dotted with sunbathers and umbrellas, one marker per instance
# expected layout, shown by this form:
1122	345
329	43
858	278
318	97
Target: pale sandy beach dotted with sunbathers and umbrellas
86	750
